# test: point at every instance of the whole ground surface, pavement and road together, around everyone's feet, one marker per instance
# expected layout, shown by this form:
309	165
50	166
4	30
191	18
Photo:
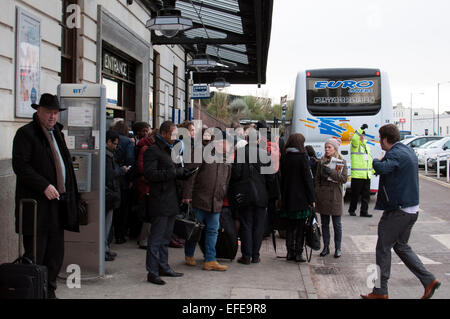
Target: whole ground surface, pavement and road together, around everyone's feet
275	278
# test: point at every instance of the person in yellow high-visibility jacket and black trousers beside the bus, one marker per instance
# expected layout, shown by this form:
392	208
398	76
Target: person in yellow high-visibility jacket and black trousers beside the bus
361	162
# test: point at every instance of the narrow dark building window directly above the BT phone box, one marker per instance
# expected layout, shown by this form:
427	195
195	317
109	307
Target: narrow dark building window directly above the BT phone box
68	47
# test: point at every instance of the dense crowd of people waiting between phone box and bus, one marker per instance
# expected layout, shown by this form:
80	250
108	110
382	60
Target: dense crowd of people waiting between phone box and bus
142	179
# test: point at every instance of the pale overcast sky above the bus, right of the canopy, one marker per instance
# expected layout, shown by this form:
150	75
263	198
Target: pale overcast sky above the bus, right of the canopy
408	39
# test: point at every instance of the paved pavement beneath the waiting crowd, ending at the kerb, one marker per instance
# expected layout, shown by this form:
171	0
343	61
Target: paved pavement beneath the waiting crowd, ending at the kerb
273	278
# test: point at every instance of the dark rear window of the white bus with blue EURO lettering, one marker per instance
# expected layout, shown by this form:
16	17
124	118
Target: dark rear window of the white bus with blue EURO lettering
357	96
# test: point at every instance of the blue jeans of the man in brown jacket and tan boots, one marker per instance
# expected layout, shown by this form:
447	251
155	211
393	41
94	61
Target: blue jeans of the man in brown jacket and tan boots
211	221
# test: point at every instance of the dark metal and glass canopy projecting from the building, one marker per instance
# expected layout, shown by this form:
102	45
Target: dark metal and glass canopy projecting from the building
234	32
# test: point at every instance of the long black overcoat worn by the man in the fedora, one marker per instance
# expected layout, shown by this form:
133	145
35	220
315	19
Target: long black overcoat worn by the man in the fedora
34	167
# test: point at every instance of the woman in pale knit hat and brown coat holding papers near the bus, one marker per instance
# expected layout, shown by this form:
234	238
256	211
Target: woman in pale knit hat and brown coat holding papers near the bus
328	185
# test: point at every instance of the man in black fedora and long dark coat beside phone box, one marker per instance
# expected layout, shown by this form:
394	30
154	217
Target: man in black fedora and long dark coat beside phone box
45	173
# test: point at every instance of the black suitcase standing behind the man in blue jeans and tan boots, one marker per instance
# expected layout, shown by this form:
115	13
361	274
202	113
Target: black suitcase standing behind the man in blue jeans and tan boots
227	240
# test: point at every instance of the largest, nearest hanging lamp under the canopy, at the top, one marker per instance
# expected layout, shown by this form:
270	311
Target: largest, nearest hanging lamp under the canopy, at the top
169	22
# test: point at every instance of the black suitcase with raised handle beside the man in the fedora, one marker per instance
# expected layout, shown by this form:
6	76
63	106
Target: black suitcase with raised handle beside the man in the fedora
23	279
